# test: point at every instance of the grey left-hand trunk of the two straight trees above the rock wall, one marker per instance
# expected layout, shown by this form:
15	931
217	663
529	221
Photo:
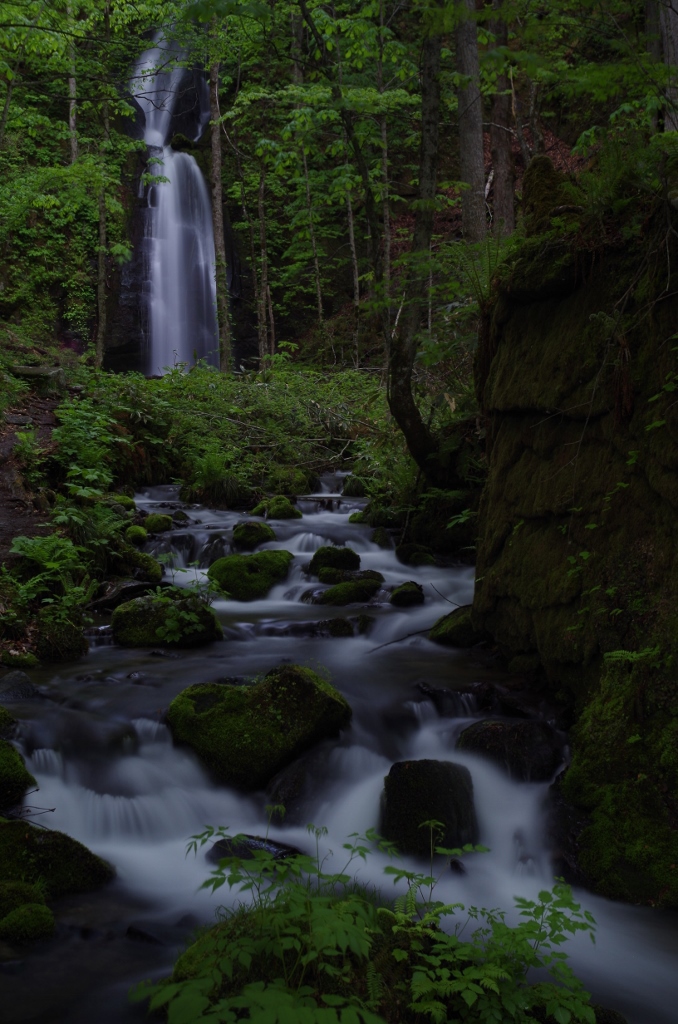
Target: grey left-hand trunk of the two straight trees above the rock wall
471	125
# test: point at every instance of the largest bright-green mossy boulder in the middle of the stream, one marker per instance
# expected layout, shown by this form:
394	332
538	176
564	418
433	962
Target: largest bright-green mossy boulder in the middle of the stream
245	735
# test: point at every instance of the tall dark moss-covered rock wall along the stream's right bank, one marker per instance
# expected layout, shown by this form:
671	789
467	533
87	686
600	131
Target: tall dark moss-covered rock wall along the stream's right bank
578	561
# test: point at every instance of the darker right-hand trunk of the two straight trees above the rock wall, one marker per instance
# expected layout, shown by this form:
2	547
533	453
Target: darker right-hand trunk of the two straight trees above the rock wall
500	141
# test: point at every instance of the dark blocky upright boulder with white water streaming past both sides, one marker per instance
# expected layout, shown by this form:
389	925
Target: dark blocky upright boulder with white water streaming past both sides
423	791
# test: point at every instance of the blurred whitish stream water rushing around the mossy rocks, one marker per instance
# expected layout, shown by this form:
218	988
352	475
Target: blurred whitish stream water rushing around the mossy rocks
110	777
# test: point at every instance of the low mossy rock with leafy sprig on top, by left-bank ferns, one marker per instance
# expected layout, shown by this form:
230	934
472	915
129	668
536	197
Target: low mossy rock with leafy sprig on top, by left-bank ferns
178	619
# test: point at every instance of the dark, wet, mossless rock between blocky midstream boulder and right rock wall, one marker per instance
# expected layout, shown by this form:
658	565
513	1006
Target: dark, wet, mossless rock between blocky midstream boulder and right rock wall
528	751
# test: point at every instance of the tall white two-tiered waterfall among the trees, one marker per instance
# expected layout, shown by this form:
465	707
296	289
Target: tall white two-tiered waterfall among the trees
180	287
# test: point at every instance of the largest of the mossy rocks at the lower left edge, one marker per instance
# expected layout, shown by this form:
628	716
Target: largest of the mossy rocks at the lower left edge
51	860
